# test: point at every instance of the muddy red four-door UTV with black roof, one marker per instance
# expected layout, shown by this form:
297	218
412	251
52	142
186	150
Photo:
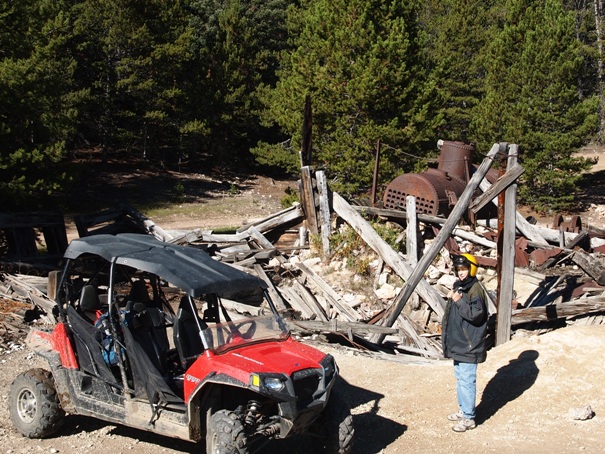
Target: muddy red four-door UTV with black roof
144	340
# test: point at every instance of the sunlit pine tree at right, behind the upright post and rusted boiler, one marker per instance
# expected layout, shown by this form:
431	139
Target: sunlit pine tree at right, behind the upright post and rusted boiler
533	64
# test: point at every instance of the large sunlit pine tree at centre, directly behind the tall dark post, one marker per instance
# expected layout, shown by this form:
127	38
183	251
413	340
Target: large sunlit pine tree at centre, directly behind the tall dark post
359	62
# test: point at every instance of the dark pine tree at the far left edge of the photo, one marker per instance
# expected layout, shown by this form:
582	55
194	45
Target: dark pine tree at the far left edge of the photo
40	101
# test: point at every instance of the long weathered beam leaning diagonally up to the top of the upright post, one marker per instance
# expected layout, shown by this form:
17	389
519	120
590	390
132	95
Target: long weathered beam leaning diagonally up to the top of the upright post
458	211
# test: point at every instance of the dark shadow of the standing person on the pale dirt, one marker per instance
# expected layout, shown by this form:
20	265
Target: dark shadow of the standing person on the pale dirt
508	384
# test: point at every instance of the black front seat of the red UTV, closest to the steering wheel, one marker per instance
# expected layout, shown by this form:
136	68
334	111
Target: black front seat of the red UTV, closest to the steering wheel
186	332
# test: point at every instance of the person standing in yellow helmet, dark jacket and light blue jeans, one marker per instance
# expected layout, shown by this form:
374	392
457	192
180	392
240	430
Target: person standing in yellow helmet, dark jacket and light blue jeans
463	336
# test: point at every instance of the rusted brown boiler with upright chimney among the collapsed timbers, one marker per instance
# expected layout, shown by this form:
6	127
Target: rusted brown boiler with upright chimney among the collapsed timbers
436	190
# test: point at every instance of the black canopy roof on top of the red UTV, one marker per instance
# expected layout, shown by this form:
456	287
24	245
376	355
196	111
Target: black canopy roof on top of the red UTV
190	269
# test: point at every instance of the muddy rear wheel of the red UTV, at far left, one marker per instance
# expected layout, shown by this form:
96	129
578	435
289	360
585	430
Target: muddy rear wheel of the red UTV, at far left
33	404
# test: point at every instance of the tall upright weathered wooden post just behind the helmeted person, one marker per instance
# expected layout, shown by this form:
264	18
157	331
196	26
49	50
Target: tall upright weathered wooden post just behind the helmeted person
507	277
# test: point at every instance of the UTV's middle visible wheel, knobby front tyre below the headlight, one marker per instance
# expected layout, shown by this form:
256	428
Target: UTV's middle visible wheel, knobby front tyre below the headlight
225	434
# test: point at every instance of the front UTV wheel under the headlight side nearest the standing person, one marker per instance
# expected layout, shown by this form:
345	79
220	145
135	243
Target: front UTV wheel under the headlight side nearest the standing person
333	431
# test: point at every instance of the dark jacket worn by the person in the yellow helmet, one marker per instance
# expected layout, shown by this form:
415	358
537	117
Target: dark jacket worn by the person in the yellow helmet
465	324
